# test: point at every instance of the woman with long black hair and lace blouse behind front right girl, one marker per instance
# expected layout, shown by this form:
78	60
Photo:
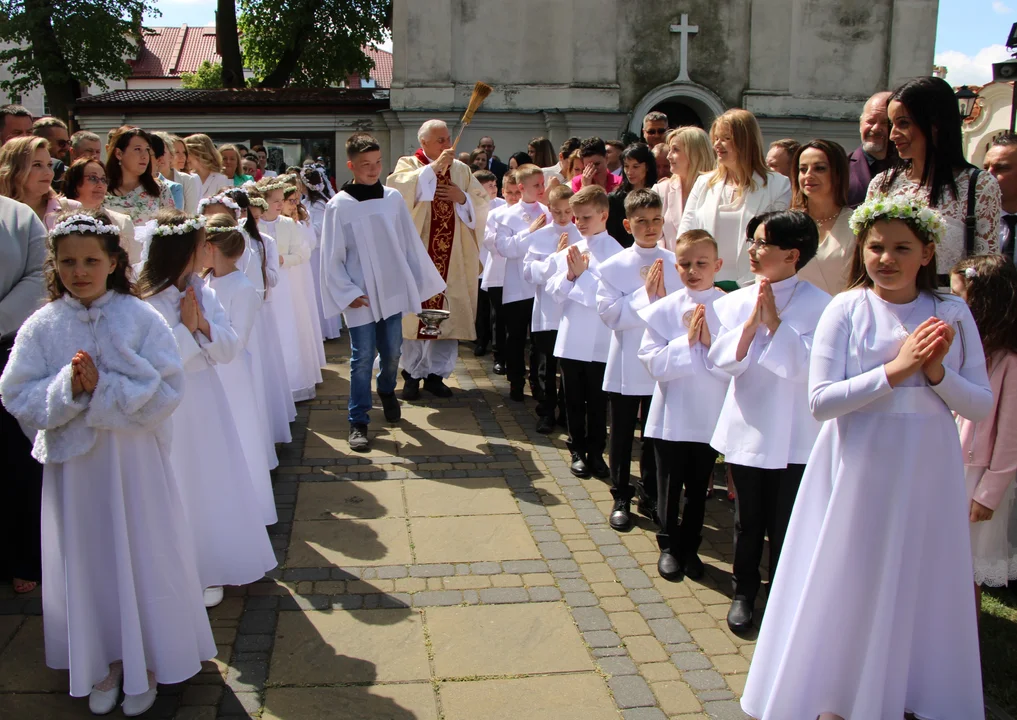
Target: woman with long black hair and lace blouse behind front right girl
926	129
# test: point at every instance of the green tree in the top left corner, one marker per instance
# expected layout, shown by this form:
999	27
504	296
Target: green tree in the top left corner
65	45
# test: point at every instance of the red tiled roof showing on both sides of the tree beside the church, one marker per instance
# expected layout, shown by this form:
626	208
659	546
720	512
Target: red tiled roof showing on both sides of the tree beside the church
169	52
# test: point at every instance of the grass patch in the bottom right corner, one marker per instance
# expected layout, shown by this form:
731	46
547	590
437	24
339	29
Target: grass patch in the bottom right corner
999	646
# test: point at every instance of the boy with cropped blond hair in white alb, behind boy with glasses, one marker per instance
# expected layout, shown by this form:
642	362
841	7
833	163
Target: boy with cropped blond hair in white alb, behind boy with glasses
686	403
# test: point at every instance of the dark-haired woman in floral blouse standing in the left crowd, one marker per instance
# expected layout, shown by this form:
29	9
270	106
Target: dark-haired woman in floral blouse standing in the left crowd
134	191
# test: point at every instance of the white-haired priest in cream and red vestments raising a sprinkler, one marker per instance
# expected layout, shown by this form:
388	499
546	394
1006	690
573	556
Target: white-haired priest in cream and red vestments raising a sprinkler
449	209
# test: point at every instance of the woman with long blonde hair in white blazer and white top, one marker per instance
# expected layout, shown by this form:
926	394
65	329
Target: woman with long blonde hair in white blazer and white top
742	188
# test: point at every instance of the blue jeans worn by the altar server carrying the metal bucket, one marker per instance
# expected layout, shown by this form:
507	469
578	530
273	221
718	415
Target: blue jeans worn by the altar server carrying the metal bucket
386	339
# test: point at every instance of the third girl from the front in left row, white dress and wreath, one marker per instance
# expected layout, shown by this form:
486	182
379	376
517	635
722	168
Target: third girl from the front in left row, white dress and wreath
243	305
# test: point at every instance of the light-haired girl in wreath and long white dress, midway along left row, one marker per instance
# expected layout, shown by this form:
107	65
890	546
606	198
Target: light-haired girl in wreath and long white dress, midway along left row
303	348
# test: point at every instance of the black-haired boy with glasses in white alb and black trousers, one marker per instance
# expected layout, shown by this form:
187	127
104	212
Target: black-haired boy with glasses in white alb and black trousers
766	430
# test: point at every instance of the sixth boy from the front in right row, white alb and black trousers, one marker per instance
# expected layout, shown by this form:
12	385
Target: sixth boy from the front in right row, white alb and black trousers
512	241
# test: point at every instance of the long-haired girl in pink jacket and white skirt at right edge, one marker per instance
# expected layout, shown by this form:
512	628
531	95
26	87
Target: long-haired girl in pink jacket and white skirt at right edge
989	284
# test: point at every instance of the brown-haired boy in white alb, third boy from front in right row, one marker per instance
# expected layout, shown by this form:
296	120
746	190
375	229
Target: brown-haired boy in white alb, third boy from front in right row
630	282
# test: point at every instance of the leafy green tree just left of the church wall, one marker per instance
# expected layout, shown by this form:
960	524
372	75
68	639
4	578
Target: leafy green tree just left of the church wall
310	43
